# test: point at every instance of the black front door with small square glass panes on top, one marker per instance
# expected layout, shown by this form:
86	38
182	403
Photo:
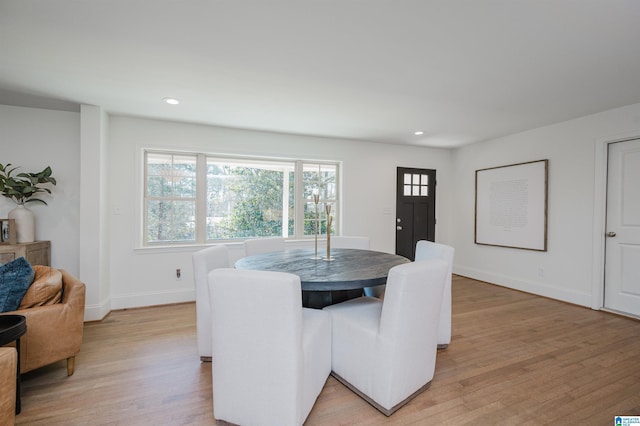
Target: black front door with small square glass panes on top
415	209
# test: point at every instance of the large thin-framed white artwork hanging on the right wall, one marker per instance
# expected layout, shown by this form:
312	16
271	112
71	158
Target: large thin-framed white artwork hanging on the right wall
511	206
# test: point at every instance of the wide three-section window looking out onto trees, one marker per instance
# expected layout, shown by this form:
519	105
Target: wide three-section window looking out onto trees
198	198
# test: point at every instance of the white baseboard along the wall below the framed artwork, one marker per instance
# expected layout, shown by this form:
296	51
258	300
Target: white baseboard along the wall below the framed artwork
550	291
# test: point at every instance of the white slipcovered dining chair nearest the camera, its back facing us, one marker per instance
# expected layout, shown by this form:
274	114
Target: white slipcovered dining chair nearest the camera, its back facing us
271	356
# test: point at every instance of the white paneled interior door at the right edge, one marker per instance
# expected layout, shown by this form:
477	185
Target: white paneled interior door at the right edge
622	263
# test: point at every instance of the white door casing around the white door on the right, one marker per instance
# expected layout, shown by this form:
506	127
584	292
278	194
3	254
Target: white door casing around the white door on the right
600	213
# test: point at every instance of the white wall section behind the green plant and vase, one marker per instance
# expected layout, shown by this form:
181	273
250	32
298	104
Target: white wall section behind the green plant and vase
36	138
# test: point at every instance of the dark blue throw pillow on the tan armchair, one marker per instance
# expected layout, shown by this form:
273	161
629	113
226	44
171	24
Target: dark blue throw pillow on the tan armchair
15	279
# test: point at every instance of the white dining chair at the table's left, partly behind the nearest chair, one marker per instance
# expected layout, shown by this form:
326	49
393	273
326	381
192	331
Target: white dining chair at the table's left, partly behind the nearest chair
204	261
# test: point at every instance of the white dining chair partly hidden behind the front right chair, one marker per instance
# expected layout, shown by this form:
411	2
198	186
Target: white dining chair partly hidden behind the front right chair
429	250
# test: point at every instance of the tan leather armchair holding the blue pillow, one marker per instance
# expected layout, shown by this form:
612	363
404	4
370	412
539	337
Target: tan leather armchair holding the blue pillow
54	332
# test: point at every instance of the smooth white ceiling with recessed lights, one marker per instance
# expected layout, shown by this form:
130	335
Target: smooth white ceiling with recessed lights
462	71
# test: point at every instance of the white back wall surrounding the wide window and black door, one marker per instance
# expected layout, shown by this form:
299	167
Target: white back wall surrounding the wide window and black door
147	276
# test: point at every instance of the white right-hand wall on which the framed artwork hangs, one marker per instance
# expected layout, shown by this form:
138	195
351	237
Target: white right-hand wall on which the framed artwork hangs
572	148
